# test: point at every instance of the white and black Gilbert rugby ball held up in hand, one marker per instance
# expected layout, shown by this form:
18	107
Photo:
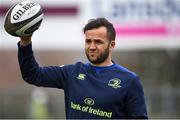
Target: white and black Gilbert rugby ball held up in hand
23	18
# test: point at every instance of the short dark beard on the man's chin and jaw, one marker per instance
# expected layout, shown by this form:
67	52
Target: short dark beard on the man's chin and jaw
100	58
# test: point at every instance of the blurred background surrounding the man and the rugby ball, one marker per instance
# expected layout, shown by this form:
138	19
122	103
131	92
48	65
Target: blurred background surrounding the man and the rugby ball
148	42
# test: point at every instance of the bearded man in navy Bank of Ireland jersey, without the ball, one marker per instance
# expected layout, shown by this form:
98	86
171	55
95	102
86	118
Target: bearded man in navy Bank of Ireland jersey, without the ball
99	89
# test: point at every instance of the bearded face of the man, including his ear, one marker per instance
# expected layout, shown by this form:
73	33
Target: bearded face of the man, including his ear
97	45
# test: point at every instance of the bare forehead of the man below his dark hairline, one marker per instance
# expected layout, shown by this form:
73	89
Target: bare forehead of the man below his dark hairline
100	32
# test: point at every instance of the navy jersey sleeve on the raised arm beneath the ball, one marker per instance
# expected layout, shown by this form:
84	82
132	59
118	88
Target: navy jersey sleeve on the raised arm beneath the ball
51	76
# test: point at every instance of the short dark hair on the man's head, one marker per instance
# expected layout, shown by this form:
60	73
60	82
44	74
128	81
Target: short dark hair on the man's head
99	22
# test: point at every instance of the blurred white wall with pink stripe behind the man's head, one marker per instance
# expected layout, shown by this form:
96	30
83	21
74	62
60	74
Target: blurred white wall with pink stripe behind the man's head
65	31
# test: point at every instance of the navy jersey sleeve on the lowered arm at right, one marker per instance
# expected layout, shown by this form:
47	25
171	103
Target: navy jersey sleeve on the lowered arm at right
135	101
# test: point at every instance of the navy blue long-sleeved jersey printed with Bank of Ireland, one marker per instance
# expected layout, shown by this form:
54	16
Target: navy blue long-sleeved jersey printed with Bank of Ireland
90	92
